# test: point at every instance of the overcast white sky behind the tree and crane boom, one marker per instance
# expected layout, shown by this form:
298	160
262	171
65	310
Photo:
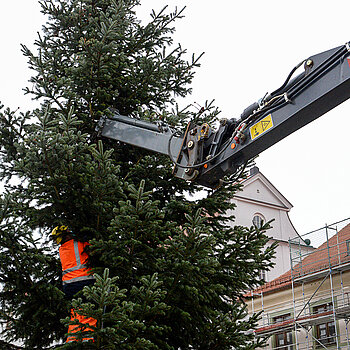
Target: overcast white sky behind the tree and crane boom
250	47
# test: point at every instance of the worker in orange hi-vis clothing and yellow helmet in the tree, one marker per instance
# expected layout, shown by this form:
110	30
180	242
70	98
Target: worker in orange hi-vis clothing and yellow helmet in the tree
75	275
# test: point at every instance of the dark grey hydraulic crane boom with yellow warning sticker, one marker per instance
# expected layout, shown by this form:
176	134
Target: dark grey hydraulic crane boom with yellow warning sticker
205	155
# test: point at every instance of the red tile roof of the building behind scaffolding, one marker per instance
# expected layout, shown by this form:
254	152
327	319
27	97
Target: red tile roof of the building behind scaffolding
332	253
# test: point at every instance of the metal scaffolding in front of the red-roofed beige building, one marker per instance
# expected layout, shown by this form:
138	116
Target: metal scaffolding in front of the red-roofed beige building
309	307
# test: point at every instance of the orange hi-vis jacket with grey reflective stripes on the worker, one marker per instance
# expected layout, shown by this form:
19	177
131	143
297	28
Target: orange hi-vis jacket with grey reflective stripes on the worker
73	261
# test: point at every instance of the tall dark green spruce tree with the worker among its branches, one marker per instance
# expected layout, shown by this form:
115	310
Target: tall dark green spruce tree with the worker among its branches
170	273
